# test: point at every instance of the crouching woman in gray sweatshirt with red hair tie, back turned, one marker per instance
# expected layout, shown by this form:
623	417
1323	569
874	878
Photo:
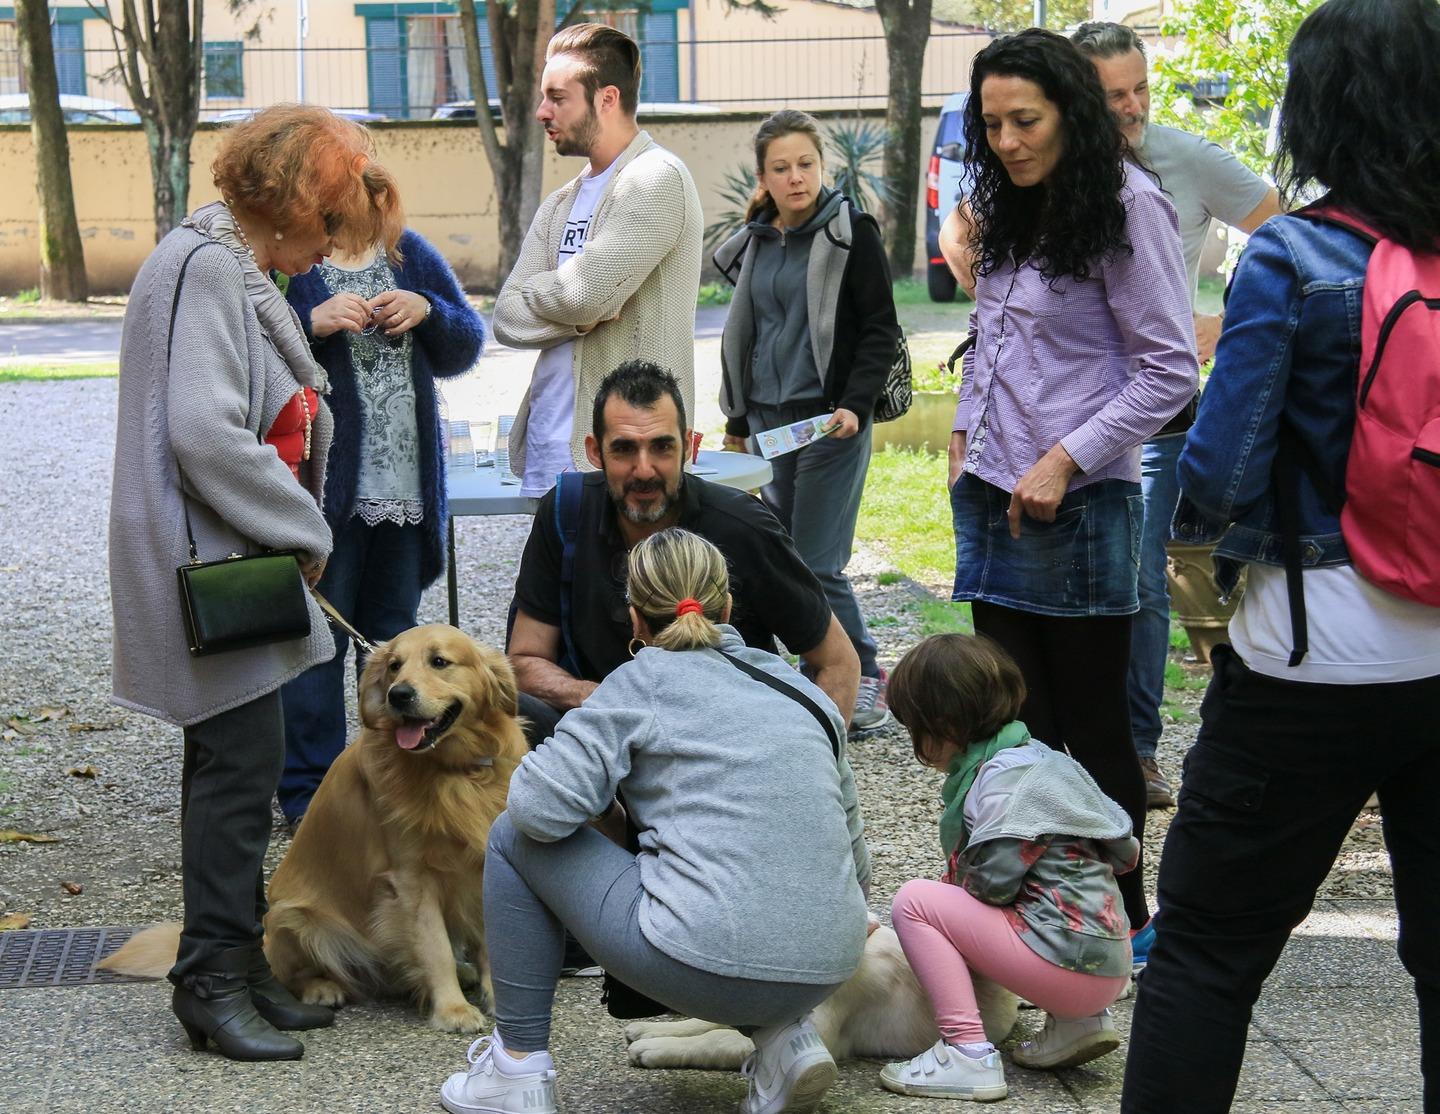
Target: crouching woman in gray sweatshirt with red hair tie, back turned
747	903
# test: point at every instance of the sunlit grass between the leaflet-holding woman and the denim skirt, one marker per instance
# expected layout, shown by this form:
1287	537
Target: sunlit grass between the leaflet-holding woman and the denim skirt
906	515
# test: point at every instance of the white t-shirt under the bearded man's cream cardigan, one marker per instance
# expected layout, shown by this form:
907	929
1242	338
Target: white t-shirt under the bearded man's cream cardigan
552	385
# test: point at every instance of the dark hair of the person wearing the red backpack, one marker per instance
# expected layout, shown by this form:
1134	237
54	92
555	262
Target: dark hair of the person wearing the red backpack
1357	119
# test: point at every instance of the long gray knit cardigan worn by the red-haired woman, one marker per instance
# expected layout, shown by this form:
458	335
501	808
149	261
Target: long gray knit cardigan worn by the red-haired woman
225	385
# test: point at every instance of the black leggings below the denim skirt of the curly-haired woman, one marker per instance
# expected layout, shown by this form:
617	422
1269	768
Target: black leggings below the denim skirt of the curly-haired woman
1078	700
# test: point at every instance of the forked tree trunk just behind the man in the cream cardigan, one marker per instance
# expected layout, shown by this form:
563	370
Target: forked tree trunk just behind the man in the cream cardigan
519	37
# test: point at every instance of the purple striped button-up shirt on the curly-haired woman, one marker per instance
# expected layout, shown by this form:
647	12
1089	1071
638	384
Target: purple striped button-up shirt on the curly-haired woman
1097	366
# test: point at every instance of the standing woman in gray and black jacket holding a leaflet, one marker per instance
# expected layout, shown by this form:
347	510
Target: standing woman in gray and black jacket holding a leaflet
811	332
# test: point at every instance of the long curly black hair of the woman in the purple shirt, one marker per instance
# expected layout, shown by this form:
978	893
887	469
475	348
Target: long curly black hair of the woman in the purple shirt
1076	218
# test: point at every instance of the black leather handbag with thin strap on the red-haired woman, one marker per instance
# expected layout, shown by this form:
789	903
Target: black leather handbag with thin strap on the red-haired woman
243	599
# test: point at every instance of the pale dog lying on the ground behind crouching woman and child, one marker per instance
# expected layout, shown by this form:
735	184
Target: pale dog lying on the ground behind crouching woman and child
879	1014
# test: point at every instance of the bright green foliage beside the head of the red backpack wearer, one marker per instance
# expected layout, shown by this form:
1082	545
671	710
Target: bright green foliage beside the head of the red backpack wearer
1243	42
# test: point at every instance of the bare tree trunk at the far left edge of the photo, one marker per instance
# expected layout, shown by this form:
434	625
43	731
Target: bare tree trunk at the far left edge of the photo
63	260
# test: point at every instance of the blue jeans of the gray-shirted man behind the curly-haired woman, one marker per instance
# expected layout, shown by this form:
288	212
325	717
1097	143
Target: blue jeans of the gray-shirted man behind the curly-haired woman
1150	635
